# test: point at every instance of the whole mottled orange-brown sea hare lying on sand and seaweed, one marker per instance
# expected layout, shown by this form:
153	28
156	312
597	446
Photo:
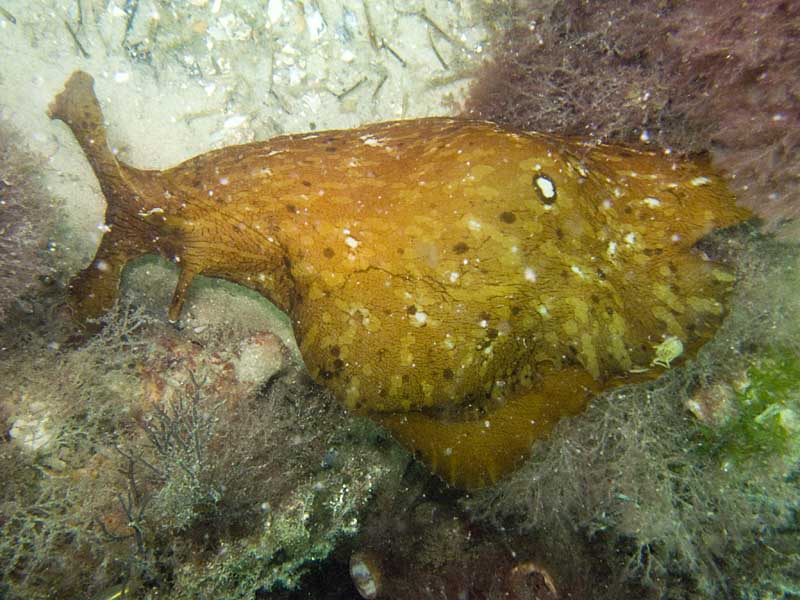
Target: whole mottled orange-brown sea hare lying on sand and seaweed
463	284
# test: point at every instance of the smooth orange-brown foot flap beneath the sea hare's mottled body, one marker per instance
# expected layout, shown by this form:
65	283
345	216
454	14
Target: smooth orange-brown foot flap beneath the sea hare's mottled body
471	454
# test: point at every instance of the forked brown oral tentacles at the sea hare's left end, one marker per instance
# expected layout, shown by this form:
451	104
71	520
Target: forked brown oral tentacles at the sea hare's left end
95	289
